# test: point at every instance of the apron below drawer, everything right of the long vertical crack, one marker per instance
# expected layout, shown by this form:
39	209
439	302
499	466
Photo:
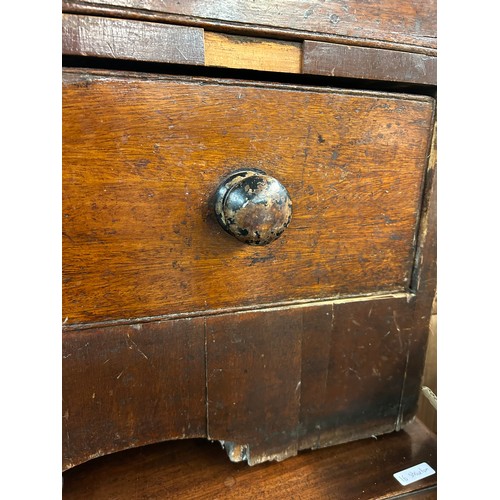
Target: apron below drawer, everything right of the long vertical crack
279	381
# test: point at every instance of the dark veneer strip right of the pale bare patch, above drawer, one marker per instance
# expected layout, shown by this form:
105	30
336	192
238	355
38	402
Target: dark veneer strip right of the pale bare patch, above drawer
331	59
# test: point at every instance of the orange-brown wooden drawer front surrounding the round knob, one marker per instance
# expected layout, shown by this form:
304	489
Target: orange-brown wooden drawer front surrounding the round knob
143	156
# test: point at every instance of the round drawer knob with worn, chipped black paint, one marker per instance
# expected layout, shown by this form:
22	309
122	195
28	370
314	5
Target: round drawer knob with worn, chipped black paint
253	206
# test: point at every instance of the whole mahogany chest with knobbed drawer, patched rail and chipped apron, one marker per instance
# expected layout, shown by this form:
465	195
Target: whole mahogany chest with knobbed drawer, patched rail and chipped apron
249	222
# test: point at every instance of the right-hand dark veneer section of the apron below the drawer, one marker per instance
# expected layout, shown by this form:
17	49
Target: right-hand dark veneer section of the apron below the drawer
354	362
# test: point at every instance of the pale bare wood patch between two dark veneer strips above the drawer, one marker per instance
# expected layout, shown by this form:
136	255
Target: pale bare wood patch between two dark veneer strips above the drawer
231	51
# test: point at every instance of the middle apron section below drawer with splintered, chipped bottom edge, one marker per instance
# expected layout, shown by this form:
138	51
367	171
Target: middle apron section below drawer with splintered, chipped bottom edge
253	383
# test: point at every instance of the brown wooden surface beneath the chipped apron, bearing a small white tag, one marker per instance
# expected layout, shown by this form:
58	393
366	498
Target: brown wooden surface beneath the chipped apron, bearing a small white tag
198	469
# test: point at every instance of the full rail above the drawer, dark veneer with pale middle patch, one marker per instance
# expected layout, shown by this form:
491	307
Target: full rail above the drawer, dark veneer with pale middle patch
156	42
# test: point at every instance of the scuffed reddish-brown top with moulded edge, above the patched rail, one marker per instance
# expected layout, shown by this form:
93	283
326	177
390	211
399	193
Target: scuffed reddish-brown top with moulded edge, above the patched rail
391	21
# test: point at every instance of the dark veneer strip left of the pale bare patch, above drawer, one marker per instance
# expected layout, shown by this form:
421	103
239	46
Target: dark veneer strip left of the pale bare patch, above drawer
131	40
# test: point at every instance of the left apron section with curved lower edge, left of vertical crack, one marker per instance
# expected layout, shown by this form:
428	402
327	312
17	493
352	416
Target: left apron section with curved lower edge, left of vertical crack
127	386
